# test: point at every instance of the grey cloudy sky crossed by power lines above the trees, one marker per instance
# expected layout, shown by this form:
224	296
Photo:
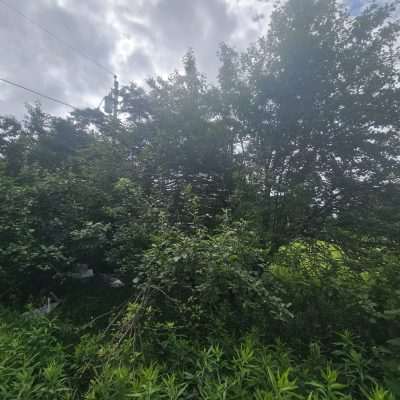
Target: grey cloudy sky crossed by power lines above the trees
135	38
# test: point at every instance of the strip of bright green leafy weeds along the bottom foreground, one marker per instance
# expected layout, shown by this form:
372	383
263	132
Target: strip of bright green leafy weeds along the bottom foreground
39	361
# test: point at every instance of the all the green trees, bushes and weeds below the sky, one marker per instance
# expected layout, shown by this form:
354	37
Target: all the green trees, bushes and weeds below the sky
253	226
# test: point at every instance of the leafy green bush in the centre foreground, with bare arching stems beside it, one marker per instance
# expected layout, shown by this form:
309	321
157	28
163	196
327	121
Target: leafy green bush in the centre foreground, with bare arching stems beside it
211	283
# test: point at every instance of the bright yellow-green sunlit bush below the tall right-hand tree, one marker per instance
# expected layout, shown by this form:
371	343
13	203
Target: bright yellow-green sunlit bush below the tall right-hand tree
327	295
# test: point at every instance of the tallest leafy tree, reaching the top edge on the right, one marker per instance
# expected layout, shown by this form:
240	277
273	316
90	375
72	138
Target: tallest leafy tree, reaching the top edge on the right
319	99
